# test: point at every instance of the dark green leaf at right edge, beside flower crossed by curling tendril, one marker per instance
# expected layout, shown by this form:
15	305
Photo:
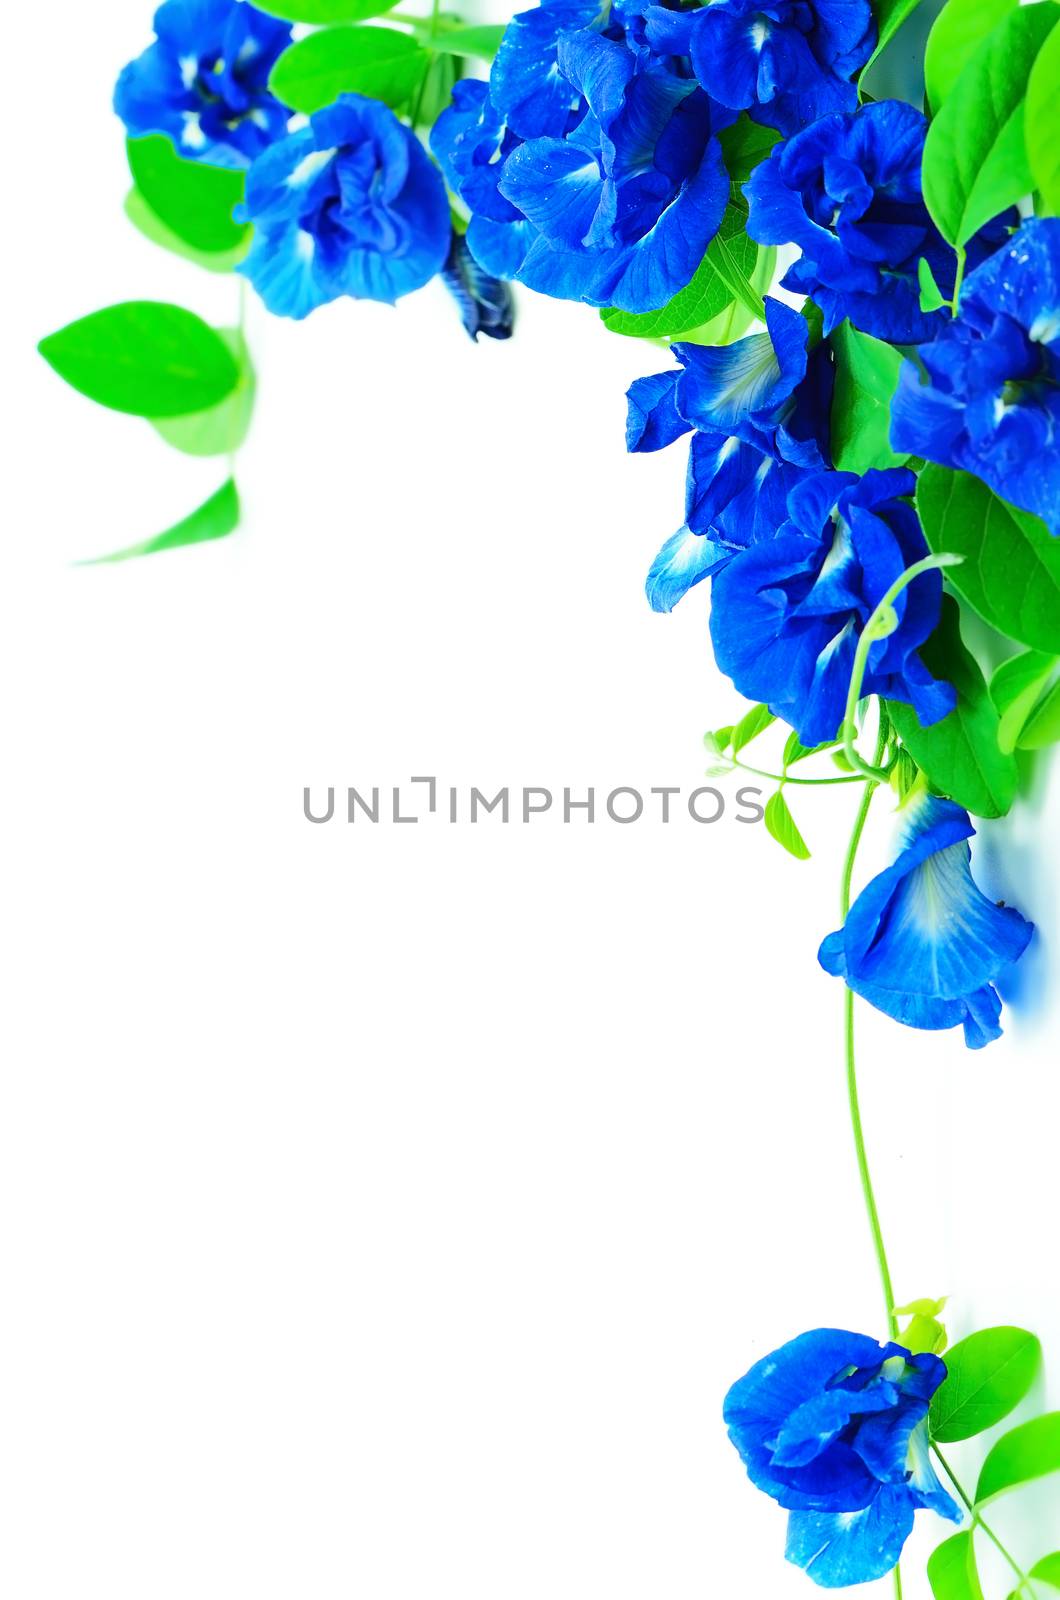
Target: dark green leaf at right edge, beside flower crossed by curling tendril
1011	572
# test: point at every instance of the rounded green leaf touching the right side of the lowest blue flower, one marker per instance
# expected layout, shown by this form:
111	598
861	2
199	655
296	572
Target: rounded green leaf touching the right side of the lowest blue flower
987	1377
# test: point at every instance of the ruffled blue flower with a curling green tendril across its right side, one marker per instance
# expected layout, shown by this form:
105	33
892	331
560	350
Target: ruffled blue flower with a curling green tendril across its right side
787	614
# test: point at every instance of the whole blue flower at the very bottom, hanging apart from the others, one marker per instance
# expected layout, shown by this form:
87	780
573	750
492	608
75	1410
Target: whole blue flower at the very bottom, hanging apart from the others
833	1426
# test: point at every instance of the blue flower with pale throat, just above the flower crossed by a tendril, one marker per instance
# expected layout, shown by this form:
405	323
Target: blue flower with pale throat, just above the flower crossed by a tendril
760	410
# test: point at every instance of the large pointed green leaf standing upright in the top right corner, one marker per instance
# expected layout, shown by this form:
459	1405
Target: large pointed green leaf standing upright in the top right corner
976	156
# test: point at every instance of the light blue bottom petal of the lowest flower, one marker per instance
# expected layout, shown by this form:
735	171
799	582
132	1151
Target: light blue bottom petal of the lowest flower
853	1548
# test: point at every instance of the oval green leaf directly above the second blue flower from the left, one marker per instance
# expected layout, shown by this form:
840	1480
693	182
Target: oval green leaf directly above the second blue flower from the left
374	62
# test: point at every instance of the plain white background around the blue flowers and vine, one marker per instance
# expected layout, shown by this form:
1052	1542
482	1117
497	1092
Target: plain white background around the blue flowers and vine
388	1210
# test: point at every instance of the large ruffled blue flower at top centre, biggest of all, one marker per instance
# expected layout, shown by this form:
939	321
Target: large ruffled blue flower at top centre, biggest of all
590	166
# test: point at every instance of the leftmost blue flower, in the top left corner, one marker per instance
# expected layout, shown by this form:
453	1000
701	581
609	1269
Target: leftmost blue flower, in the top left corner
206	81
